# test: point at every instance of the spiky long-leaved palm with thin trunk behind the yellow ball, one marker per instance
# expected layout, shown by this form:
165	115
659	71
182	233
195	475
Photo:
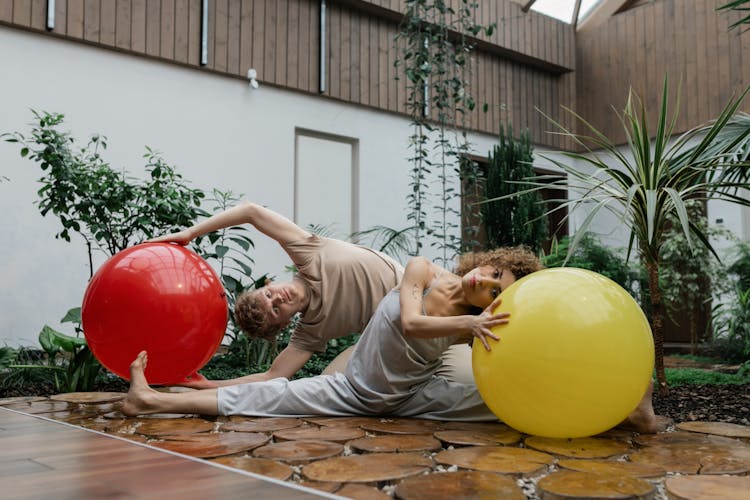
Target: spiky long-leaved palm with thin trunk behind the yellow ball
645	183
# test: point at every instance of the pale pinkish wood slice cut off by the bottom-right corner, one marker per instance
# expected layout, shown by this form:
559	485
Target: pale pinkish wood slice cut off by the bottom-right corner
708	487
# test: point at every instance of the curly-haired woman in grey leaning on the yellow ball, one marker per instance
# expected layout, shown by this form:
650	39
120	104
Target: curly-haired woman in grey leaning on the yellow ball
391	371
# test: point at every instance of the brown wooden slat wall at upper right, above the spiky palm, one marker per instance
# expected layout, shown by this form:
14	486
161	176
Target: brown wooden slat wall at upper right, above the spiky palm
686	39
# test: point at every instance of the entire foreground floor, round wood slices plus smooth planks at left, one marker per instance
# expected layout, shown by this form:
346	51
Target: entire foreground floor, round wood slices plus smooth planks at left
355	457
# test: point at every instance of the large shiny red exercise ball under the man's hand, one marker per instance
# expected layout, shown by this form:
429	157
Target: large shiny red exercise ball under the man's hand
157	297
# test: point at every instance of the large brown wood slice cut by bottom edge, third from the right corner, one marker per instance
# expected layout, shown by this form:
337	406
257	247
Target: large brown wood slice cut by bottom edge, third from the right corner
463	484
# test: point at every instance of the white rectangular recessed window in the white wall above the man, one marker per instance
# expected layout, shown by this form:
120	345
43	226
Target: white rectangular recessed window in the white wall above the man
326	194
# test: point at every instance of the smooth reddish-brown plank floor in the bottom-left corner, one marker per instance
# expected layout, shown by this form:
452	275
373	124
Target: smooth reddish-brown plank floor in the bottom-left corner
44	459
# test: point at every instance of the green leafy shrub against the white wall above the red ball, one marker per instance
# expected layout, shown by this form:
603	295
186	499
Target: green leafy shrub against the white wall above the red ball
109	209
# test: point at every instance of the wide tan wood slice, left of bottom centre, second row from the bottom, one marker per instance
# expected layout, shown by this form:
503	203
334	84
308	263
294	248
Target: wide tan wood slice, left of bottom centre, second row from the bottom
368	468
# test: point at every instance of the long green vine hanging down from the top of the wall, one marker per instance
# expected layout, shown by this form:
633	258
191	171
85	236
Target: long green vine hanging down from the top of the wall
437	42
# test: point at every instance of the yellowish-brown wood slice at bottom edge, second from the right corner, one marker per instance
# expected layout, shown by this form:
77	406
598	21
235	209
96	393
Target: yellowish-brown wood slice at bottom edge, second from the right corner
564	485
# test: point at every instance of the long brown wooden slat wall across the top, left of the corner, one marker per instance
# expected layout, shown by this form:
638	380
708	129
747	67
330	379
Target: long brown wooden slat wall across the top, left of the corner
522	66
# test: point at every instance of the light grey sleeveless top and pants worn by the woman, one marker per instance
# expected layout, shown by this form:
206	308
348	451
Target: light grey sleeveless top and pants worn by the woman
387	374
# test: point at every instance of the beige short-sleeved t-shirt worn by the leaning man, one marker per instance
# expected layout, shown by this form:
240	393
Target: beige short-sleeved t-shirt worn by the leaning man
346	283
